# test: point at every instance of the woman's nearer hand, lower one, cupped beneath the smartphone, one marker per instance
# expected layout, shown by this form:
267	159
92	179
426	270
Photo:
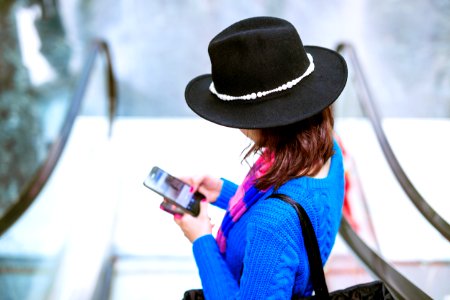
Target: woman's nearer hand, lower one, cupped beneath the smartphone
195	227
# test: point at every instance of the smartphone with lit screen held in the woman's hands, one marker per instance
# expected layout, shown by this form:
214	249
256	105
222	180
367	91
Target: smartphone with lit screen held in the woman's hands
174	190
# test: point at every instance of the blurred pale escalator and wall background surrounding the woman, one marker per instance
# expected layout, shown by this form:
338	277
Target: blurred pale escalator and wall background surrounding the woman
92	96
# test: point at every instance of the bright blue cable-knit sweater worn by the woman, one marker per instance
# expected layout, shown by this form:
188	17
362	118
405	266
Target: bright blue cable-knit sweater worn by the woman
265	256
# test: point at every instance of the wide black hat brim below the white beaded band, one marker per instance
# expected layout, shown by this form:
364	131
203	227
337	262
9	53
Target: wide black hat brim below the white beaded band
313	94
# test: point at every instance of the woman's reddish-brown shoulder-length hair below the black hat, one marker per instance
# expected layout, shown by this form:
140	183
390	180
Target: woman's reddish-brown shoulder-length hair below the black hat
299	149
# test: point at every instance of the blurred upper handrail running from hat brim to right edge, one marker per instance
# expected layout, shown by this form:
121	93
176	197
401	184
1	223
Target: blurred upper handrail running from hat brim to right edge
371	111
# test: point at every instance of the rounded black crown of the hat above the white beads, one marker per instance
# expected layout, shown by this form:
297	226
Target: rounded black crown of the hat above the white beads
256	54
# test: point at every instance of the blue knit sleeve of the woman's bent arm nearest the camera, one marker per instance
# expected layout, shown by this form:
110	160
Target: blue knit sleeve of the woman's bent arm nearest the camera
270	265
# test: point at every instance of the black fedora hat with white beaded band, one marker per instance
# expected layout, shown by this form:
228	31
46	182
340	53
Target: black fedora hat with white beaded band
262	76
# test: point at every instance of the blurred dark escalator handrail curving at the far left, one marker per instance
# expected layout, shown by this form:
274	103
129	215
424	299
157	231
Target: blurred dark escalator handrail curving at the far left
40	178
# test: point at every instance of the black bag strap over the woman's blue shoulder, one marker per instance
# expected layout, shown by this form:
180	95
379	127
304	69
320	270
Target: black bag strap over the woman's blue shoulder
312	247
